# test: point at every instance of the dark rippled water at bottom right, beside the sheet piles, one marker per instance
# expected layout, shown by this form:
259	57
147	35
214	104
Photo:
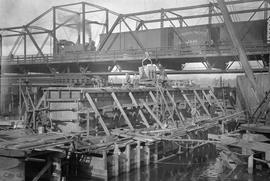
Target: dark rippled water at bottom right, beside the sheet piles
202	164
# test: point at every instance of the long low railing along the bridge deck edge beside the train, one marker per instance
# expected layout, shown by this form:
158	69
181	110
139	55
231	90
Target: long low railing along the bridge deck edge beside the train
131	54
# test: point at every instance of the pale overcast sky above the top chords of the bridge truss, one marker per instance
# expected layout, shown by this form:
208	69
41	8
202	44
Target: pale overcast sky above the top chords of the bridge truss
19	12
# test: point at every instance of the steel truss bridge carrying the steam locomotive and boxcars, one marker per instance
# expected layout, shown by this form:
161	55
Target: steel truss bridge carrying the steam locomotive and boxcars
221	55
